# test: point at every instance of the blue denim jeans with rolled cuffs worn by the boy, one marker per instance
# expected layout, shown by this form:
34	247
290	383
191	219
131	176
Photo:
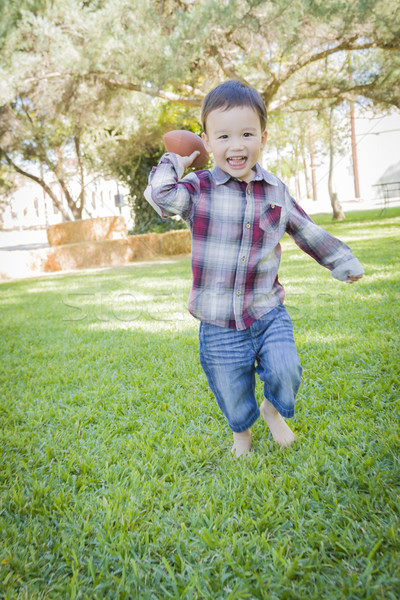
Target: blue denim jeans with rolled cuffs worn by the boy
231	358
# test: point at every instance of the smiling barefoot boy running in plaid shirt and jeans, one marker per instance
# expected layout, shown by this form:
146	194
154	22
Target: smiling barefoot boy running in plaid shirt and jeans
237	214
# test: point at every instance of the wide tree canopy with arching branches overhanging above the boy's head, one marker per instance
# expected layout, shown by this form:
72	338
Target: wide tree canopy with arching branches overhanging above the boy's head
177	49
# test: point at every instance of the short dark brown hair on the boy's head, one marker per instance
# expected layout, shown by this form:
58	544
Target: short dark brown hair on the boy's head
233	93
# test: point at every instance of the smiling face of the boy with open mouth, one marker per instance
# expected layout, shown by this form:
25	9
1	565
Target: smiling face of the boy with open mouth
235	139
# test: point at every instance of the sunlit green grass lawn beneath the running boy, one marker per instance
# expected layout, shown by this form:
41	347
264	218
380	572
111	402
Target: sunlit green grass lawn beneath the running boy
116	474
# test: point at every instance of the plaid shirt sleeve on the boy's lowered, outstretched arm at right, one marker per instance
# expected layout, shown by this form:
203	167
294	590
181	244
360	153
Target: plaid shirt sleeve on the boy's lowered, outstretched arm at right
327	250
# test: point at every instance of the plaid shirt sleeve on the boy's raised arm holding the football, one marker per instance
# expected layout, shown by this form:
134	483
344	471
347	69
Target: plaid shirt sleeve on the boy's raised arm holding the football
167	193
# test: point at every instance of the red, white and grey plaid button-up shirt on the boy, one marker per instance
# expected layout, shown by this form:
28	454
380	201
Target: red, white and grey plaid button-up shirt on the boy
236	229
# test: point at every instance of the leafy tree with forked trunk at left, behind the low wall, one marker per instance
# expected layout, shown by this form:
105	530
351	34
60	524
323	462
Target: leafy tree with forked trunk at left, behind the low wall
53	132
